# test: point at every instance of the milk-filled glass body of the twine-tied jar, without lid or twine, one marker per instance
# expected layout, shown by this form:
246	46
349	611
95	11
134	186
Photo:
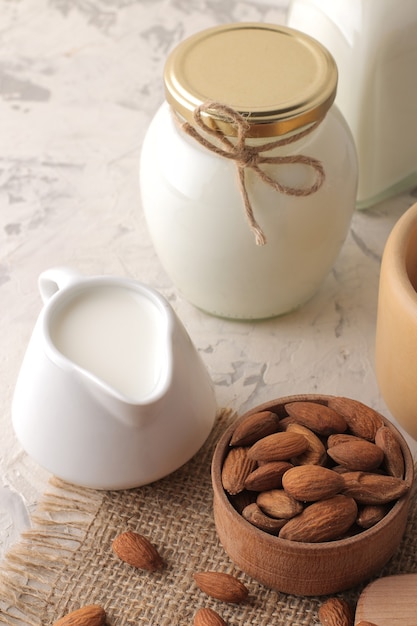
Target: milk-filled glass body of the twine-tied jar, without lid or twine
195	215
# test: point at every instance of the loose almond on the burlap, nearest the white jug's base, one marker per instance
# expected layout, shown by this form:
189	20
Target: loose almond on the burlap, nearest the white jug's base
137	550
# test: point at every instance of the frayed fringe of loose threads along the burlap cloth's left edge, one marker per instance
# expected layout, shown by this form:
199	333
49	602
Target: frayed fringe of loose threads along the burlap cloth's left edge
31	568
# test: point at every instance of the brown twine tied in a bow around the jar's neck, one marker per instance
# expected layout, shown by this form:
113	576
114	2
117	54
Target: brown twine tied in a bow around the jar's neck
247	156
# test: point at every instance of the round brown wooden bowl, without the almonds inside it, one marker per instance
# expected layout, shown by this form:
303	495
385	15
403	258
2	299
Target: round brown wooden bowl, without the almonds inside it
306	568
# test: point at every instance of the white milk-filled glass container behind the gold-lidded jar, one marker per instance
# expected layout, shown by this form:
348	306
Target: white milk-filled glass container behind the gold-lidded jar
374	43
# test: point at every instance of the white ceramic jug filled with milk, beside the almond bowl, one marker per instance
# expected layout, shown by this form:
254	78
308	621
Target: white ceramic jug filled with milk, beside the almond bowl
112	393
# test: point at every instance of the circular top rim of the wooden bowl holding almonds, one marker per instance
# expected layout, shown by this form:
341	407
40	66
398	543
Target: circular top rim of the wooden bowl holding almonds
222	447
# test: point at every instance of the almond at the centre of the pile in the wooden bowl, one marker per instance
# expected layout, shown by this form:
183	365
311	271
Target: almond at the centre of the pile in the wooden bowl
311	482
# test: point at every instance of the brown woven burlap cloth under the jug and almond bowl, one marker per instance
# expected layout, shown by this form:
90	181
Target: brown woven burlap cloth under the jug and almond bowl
65	561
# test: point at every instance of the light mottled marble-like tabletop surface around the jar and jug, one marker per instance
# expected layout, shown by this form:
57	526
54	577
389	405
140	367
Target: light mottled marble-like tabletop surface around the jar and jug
79	83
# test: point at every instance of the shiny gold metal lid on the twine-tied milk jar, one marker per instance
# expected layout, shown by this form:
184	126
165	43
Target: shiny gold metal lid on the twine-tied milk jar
279	78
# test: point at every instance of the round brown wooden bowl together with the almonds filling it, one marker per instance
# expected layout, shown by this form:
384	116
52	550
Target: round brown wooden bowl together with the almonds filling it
322	549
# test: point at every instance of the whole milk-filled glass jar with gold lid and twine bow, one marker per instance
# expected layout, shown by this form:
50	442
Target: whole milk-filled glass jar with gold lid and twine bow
248	171
